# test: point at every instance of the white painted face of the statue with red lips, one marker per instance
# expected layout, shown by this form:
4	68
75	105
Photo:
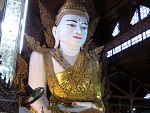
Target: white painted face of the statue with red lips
72	30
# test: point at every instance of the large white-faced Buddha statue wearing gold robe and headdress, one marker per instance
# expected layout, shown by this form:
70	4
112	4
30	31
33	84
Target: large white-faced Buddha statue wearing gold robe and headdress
72	74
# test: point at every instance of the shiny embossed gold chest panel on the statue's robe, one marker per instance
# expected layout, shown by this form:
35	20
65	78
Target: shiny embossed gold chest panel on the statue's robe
74	81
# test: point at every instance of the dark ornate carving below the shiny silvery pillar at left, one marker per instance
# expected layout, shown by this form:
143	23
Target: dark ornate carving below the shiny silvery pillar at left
9	97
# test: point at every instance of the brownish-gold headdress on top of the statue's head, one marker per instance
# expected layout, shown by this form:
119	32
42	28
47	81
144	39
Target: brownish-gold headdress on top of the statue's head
71	7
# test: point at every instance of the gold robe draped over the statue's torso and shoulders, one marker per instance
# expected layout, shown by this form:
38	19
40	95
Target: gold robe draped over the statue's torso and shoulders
80	82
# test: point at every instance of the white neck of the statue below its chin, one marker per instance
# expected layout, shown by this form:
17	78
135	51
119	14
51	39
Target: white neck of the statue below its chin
69	50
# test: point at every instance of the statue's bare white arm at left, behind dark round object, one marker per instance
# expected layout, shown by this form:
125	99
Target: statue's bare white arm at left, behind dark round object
37	78
